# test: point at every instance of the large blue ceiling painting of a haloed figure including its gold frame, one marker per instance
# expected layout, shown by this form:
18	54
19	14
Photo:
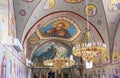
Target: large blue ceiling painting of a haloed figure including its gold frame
59	28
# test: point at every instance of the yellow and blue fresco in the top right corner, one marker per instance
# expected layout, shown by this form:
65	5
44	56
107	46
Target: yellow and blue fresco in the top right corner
114	5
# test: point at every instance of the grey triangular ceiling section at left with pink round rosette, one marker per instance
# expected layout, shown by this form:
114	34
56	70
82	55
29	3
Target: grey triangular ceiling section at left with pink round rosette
23	10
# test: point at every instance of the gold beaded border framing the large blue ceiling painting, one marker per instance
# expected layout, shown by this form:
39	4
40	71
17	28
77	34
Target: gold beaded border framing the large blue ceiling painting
39	35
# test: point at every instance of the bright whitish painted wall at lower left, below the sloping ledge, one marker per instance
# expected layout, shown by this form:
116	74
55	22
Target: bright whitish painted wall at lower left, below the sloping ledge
10	65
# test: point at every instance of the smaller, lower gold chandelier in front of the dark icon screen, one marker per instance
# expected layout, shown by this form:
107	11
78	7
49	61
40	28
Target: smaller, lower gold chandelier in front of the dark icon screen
59	62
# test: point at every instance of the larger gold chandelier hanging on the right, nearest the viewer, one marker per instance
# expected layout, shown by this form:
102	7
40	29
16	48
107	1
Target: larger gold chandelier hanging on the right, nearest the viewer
88	48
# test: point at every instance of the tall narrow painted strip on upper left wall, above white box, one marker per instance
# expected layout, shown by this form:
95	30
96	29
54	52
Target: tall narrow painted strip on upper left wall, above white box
11	26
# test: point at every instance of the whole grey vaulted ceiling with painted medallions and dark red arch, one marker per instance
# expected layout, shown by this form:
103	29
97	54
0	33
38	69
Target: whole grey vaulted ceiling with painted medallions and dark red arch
41	21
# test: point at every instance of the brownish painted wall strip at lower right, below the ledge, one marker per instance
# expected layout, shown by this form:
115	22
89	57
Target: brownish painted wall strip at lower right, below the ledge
109	71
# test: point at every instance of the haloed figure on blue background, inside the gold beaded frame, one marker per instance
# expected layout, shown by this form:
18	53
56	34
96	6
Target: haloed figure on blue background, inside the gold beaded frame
58	28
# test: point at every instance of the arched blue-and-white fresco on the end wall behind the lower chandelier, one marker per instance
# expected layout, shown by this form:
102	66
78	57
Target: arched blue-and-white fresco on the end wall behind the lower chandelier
49	52
